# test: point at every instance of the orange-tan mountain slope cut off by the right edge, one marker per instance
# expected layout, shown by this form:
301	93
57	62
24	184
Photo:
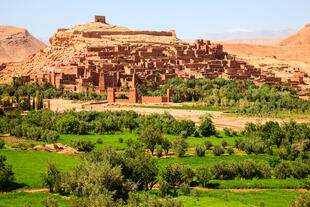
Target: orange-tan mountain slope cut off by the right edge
301	38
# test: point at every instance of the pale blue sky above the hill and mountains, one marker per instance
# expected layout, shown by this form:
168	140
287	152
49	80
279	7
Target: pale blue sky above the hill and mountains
190	18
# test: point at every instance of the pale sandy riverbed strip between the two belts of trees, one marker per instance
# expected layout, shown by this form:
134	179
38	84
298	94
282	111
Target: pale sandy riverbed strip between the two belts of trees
220	119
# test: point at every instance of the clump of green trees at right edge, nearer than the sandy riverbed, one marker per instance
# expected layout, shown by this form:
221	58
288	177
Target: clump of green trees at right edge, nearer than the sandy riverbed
291	138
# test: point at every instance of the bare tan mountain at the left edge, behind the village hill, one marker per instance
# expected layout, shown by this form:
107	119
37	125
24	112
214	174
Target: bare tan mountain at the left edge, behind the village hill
17	44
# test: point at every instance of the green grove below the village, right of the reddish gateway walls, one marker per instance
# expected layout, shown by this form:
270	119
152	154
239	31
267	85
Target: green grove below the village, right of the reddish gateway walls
241	94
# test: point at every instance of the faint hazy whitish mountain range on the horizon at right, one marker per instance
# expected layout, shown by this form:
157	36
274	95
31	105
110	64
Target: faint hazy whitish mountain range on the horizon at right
251	37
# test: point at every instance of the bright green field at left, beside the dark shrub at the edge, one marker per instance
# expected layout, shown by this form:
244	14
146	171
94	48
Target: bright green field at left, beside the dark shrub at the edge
28	165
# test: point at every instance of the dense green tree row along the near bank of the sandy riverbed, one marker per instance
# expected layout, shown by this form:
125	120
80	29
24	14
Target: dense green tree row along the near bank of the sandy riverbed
43	124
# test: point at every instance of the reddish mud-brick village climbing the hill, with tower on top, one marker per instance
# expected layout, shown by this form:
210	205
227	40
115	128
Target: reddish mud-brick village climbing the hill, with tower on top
100	56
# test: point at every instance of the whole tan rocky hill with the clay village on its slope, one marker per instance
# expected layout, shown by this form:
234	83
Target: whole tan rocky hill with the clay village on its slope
104	48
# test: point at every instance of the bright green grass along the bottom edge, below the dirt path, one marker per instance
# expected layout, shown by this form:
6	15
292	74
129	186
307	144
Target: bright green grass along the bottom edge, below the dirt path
214	198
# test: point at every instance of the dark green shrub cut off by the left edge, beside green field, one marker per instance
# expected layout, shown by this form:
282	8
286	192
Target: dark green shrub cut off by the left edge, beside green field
6	175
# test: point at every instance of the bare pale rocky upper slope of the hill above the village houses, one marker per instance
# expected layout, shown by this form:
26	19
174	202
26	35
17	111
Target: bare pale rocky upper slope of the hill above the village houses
66	44
